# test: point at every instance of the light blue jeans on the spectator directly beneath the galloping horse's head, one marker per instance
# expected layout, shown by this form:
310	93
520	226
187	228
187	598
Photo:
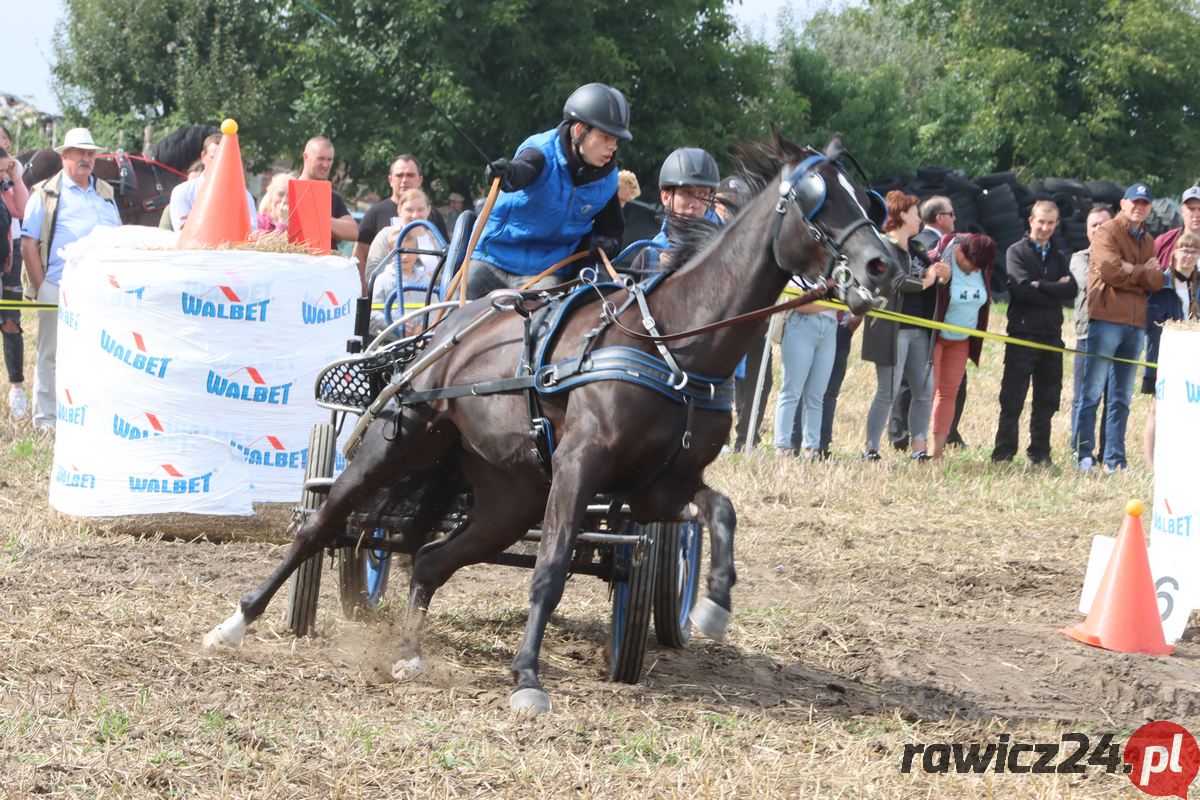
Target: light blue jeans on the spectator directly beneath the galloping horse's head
807	356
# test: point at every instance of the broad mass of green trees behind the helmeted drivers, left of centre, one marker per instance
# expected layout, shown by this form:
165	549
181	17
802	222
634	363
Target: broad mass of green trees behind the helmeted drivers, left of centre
358	71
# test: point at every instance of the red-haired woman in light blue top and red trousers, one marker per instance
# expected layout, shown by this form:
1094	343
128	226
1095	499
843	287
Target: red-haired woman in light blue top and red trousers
963	303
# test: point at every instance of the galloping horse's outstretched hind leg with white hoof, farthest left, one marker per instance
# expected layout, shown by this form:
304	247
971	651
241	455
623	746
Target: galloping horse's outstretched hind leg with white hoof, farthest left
379	461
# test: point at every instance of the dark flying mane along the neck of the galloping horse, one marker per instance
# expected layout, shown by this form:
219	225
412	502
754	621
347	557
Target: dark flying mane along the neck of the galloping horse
759	164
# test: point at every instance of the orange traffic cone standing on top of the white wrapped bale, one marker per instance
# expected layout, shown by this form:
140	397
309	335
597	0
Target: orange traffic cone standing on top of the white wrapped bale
220	215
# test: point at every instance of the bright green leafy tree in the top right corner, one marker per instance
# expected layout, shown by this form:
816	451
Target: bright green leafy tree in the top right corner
1088	88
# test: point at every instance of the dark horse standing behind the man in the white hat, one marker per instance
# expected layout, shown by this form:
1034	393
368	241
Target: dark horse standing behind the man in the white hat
142	185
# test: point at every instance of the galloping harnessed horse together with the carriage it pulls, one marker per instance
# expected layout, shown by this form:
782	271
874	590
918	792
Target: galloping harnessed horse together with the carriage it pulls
623	384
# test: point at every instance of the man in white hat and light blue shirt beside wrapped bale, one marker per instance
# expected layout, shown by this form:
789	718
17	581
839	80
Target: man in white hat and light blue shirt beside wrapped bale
62	209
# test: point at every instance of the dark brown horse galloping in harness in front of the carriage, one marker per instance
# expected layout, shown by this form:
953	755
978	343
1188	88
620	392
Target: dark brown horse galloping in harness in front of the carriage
614	438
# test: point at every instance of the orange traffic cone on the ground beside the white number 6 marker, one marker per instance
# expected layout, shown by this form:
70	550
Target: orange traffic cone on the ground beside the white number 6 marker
1125	612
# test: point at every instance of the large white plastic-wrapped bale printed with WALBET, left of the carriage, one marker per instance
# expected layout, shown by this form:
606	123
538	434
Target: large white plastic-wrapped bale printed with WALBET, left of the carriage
185	378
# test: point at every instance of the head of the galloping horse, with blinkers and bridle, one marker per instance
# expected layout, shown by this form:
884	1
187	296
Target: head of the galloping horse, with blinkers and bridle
821	212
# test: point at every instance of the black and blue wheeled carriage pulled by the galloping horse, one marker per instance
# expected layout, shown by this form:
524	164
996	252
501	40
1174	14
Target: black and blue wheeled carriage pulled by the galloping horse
652	570
